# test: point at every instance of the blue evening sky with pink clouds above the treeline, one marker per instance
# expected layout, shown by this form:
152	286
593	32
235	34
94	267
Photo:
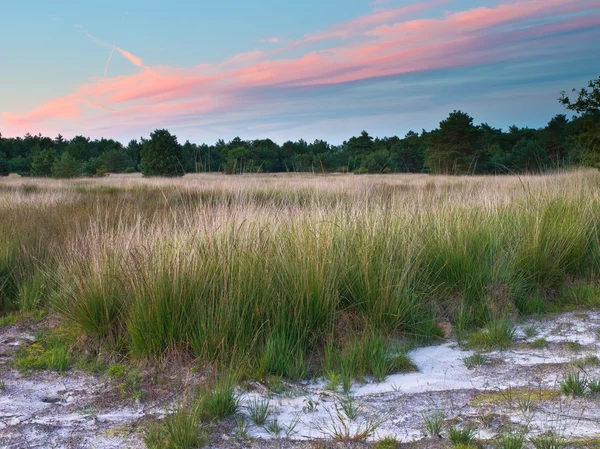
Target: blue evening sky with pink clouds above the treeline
286	69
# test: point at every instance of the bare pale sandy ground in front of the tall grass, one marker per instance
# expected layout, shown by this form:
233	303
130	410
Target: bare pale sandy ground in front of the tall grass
516	389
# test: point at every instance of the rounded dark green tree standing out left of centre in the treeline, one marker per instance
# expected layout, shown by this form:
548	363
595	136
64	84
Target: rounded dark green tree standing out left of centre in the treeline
162	155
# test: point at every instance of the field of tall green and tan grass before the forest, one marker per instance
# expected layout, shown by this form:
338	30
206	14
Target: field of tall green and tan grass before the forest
288	277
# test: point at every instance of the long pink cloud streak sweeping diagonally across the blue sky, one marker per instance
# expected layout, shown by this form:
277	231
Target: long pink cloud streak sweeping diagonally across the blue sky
382	43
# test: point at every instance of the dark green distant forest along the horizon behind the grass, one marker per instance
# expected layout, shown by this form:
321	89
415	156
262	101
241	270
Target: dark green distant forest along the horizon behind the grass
457	146
